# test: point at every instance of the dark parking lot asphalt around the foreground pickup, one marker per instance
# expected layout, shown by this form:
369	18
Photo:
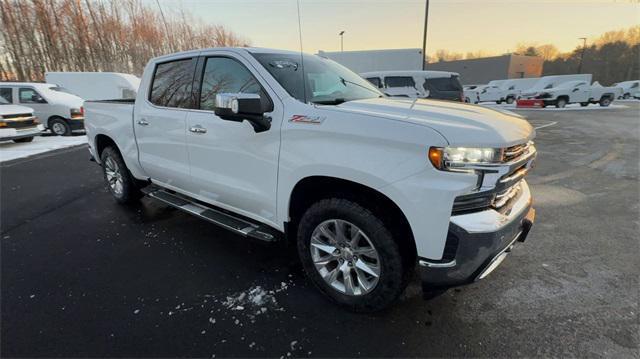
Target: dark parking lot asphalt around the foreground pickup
82	276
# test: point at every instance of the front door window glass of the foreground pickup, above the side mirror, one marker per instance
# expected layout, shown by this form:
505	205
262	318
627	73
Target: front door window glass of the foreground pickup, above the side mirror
225	75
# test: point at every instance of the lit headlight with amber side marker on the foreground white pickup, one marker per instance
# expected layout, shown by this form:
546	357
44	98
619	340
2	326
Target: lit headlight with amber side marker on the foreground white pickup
450	158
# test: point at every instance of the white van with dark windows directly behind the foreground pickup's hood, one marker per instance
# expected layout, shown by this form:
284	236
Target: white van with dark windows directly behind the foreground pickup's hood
439	85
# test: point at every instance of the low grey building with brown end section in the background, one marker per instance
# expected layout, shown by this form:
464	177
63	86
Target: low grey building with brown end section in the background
483	70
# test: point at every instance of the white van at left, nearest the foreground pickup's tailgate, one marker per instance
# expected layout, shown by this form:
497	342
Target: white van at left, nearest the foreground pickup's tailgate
59	111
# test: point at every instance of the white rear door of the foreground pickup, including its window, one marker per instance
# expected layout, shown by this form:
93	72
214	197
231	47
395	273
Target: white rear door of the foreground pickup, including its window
160	123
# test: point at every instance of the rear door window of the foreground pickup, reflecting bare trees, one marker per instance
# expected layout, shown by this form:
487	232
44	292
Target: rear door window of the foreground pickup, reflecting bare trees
171	86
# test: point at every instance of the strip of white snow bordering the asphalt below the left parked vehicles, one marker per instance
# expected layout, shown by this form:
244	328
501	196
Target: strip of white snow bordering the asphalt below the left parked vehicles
10	150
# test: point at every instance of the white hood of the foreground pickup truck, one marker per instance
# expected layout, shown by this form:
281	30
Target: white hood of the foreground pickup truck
460	124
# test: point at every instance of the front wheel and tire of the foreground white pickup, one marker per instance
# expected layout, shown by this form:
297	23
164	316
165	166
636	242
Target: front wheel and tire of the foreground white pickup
319	223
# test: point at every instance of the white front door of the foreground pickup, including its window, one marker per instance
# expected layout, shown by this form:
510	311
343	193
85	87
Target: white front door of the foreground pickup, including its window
232	165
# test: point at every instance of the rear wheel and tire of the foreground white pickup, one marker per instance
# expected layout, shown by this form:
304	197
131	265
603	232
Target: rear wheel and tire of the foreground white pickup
120	182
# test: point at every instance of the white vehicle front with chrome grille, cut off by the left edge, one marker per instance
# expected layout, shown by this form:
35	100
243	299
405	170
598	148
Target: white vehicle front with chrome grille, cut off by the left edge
17	123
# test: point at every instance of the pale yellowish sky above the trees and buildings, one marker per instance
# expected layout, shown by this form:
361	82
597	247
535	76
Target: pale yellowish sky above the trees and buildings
493	26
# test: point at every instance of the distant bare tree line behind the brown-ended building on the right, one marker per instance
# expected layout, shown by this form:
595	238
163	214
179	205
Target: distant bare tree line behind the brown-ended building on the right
612	57
